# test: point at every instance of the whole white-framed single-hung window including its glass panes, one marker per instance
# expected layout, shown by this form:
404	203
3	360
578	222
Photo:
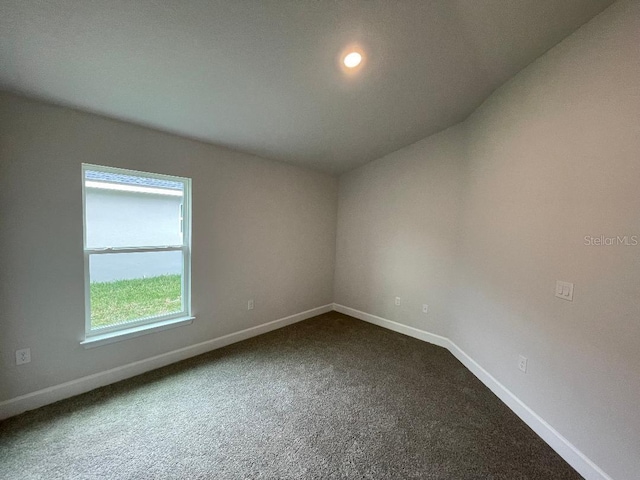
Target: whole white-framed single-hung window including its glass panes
136	250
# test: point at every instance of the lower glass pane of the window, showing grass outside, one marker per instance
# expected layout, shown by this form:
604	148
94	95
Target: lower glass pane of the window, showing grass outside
126	287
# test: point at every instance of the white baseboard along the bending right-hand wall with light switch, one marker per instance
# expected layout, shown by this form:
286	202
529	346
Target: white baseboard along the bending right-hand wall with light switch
574	457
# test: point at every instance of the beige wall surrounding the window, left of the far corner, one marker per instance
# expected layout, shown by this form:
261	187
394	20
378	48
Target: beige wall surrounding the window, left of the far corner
261	230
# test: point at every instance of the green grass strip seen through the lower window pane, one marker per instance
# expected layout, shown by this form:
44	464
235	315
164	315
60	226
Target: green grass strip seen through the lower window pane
127	300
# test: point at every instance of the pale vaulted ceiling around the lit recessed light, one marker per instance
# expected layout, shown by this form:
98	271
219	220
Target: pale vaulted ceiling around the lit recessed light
264	76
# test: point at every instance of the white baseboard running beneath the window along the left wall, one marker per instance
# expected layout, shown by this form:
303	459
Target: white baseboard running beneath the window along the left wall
39	398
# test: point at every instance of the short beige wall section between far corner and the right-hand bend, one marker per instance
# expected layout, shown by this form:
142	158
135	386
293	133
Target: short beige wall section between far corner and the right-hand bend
398	226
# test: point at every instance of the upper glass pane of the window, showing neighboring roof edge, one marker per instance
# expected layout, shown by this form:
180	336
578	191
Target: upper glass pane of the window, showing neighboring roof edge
132	211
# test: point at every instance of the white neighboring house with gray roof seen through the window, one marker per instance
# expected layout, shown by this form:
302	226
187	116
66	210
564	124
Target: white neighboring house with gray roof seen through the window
124	210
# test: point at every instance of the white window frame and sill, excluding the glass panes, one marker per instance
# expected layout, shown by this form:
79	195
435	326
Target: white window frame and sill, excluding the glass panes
109	334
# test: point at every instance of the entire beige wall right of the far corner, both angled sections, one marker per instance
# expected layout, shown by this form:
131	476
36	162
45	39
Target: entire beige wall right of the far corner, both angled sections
551	157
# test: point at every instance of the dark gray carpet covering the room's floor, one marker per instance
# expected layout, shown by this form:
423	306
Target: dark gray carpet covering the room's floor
330	397
